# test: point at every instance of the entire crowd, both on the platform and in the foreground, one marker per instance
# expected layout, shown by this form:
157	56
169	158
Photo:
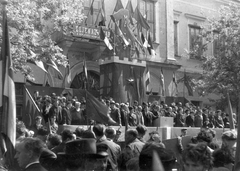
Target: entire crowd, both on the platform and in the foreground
42	148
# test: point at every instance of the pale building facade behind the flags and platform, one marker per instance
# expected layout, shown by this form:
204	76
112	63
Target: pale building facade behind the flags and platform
173	26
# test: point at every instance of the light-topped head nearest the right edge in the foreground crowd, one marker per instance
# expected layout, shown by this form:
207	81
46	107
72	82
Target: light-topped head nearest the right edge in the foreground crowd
229	140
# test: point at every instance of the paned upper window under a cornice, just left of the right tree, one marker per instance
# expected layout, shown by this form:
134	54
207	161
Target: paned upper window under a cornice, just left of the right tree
195	41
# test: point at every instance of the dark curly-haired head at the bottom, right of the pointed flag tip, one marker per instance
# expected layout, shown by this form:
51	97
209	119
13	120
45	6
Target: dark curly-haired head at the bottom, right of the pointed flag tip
197	157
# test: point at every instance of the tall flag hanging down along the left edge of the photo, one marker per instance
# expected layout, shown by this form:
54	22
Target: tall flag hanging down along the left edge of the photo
7	95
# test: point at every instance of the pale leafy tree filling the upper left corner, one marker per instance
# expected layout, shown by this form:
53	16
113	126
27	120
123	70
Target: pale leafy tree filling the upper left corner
31	26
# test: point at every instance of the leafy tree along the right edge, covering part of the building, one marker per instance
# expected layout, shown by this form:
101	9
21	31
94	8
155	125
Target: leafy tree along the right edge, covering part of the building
221	71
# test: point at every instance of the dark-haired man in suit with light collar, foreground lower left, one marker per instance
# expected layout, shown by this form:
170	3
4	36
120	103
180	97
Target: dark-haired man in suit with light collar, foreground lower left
28	154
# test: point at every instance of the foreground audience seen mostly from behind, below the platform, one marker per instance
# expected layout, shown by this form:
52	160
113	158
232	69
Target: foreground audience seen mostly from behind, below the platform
97	148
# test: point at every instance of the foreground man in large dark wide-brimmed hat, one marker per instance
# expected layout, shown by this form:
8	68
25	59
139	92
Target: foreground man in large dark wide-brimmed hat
83	154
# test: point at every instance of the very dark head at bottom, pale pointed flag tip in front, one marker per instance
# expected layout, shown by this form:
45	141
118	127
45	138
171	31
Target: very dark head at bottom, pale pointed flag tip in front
166	156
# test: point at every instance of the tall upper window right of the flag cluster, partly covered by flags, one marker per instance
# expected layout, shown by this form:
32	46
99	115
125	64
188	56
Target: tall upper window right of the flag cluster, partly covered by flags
147	10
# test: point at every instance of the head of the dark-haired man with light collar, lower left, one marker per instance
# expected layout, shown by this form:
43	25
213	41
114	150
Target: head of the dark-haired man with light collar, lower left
28	150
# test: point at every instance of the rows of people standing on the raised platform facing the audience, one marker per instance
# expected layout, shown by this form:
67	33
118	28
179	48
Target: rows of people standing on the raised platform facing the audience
59	110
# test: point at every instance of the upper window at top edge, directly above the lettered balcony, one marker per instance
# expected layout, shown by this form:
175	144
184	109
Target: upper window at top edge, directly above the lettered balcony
91	20
